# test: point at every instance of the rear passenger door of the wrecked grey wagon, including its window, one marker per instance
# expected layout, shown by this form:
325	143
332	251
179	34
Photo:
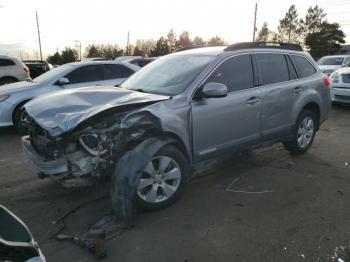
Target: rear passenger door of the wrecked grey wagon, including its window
280	89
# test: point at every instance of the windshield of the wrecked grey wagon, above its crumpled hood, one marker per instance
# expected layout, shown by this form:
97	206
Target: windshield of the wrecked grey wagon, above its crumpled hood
169	75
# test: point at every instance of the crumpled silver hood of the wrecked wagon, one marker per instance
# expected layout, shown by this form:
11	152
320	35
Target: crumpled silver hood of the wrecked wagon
64	110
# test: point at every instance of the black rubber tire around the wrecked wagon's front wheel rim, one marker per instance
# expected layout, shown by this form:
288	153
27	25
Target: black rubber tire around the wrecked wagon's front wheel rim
175	154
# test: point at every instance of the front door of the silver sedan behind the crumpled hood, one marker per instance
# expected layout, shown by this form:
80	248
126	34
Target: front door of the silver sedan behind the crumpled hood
90	75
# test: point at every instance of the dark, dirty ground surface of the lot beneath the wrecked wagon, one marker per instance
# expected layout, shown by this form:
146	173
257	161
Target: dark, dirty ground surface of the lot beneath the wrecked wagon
298	208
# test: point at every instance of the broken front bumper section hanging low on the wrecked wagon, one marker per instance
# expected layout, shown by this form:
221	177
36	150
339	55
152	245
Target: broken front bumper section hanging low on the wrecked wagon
54	167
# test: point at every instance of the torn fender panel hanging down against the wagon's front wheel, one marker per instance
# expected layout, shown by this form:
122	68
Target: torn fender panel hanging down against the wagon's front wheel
127	175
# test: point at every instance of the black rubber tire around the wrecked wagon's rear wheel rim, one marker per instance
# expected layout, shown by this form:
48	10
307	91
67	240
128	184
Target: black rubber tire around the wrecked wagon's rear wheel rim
293	145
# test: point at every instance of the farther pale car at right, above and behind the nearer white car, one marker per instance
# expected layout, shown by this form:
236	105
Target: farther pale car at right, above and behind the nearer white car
329	64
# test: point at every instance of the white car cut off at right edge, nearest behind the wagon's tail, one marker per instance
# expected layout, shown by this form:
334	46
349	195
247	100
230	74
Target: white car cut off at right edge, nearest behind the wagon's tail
340	91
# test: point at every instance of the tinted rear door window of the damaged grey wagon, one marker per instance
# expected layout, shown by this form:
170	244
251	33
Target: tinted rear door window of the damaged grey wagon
273	68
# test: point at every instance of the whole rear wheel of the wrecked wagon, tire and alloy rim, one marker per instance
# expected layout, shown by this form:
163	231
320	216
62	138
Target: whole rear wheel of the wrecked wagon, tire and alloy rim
303	133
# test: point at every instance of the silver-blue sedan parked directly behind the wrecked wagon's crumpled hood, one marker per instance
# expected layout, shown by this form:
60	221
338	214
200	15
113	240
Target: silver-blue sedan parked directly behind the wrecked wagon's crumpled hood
73	75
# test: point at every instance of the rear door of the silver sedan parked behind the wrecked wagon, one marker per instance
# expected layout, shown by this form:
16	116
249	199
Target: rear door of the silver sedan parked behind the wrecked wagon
116	74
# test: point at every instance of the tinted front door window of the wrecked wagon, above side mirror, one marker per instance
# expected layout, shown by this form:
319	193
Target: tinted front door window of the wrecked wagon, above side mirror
236	73
